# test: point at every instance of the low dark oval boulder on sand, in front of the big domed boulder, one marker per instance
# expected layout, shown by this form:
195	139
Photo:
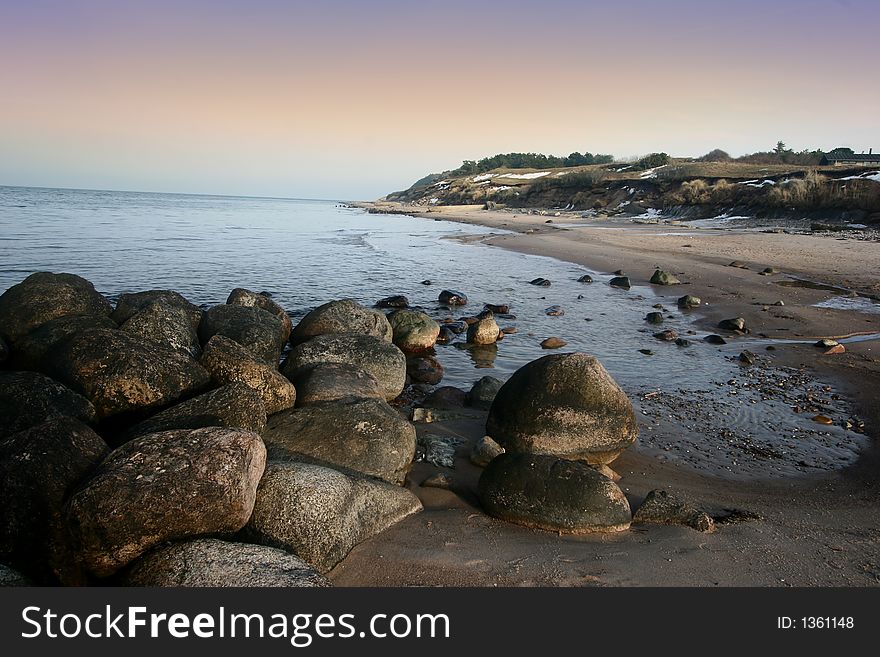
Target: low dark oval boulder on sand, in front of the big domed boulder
554	494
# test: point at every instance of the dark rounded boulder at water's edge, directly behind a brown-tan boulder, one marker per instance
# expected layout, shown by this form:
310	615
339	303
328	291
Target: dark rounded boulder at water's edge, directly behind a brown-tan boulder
259	331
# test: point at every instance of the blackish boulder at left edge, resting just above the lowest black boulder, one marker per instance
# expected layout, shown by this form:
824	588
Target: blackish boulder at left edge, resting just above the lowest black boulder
28	399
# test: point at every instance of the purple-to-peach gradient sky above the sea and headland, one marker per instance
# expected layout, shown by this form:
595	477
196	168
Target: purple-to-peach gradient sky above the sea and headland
351	100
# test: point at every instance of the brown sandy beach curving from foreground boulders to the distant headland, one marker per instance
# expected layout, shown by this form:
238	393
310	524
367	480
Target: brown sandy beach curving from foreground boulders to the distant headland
819	530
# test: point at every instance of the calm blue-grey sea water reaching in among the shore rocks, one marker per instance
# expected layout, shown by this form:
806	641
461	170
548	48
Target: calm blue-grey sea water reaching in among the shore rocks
308	252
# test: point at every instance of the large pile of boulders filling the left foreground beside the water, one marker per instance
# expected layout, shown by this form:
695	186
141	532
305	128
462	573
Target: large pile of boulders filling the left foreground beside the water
158	443
